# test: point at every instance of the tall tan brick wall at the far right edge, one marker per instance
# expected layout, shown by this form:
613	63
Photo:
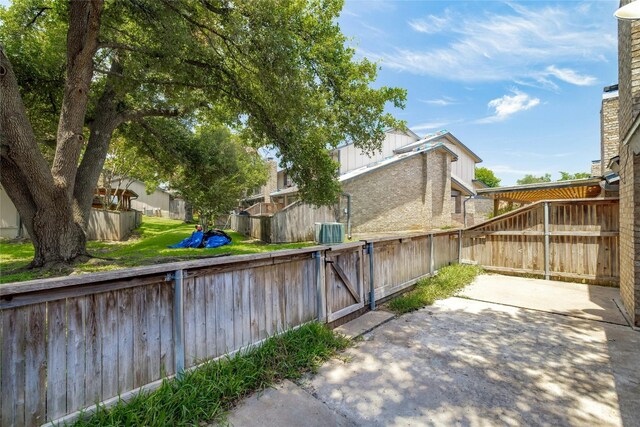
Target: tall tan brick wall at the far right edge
629	106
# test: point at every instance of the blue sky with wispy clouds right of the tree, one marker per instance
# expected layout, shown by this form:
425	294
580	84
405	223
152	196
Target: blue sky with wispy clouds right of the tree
520	83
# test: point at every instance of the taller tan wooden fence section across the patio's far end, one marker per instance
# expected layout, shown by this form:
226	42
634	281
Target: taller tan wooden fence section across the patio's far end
575	239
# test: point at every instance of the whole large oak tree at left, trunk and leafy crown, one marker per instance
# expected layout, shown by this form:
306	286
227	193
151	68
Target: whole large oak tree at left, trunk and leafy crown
73	72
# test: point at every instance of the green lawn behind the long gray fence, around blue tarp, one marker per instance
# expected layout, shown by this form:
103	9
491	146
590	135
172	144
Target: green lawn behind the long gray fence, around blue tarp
147	246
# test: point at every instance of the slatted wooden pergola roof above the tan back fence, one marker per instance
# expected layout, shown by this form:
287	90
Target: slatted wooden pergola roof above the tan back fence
529	193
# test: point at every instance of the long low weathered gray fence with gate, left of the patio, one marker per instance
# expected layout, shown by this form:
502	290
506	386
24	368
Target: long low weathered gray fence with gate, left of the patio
69	343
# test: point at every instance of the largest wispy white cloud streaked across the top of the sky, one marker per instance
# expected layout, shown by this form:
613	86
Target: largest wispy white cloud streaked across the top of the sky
521	44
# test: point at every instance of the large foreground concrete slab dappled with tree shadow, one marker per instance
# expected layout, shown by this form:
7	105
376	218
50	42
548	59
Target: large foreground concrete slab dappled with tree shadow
464	362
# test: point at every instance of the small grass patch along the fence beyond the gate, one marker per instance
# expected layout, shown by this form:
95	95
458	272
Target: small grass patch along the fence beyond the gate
446	283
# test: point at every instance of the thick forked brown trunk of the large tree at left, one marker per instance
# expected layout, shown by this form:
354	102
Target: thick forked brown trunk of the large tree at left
44	197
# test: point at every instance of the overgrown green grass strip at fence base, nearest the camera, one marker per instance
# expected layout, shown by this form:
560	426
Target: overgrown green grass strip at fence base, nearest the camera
206	393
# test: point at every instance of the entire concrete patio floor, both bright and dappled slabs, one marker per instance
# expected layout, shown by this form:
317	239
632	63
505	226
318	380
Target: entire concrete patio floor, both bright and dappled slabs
475	363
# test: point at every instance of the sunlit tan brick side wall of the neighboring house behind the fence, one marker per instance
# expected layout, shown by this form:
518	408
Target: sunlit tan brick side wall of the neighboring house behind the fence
412	194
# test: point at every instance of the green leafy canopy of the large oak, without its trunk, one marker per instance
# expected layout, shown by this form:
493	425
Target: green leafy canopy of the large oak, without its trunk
278	72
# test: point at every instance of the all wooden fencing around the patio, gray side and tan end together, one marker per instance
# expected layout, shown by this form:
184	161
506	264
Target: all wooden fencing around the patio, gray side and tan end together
70	342
